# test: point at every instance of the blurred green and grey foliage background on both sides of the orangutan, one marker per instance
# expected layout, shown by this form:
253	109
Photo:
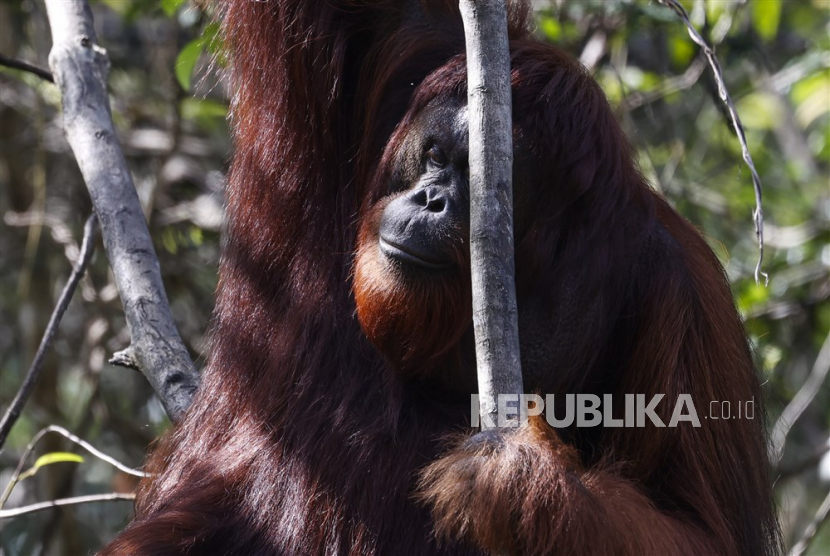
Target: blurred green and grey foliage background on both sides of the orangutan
170	108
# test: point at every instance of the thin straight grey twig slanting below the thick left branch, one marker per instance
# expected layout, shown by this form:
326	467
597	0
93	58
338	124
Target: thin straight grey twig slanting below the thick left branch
87	249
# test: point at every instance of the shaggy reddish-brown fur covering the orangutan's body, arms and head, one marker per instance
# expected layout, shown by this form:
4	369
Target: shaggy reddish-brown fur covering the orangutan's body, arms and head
305	438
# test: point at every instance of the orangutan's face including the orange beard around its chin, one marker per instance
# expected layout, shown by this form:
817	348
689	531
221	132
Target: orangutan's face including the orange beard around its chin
412	278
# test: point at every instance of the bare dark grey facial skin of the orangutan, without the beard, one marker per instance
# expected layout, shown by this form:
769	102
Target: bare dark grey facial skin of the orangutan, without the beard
426	226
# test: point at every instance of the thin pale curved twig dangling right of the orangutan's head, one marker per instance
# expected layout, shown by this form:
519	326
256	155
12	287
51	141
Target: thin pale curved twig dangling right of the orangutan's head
758	214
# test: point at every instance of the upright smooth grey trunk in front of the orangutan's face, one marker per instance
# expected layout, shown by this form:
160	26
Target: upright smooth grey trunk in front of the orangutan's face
495	314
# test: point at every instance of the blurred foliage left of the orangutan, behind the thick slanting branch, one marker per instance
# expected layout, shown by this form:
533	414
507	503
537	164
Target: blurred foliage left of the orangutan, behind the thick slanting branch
177	146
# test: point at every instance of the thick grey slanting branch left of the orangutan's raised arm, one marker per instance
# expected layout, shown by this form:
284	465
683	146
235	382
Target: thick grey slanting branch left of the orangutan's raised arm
80	68
